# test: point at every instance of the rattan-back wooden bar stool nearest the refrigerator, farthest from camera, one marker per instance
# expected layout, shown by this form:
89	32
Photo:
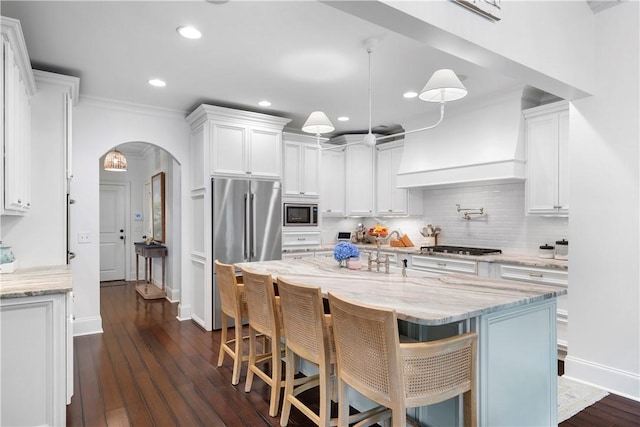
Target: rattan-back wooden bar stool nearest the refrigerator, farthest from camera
233	305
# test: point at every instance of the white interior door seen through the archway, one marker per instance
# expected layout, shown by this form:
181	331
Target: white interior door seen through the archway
112	232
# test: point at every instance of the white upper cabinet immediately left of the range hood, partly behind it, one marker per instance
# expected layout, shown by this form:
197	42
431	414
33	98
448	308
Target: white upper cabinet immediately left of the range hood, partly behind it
390	200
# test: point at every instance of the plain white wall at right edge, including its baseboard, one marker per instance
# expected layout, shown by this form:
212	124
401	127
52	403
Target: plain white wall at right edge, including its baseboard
604	298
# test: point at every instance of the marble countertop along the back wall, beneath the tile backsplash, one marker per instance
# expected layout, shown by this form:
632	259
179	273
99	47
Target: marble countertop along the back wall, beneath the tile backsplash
517	259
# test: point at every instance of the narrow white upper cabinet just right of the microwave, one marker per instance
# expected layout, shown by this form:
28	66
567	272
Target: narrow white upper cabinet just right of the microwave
333	182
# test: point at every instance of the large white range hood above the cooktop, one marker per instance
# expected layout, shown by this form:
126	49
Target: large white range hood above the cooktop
472	146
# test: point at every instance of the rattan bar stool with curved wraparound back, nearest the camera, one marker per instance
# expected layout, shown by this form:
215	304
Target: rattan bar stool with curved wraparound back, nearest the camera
398	376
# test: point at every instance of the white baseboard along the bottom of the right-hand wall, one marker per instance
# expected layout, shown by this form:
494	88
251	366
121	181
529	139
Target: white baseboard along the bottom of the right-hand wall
616	381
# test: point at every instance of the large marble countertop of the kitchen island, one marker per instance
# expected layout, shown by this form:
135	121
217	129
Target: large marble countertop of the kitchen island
433	300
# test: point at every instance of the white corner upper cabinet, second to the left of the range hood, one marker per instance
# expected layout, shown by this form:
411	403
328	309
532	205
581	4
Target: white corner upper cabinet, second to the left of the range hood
359	180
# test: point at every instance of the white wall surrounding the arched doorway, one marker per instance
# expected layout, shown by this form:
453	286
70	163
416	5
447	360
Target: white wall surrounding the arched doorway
97	127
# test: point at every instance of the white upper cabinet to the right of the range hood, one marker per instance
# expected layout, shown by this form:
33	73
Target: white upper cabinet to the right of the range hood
547	187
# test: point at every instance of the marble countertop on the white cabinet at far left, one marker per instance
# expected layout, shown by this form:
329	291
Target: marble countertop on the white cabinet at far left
36	281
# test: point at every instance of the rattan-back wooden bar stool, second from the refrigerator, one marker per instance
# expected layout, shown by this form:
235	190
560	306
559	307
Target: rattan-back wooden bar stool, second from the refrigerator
264	318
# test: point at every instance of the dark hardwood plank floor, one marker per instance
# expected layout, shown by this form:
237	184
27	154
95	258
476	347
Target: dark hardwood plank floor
149	369
